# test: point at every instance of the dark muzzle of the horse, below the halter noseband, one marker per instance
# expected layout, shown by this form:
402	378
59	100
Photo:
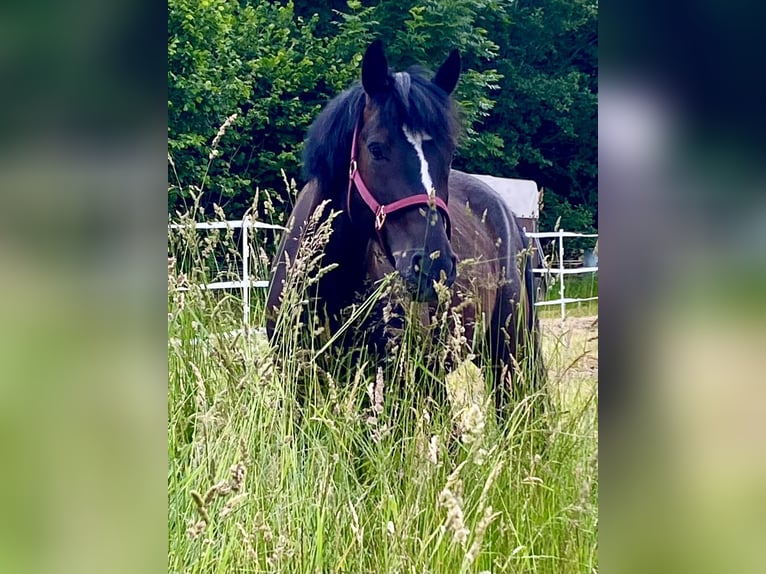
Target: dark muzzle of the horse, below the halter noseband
421	270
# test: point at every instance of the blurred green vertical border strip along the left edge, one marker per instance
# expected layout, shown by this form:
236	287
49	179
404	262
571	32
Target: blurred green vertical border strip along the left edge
82	252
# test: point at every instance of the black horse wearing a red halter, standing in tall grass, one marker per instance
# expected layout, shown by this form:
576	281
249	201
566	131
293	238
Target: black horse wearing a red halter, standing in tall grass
380	154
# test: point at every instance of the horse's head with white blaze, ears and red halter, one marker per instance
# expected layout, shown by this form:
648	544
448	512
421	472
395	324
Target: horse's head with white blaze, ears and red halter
401	152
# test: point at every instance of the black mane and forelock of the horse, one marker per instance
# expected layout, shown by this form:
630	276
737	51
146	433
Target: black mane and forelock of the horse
417	103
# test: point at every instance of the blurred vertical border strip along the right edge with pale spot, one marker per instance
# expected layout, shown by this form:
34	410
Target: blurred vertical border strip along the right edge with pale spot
683	256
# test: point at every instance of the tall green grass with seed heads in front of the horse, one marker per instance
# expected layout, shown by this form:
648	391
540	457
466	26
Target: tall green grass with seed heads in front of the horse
364	474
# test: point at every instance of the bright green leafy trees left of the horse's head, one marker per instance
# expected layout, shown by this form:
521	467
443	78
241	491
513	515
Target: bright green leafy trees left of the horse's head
260	61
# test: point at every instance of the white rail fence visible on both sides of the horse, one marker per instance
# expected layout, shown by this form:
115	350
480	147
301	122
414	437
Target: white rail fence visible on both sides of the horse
248	283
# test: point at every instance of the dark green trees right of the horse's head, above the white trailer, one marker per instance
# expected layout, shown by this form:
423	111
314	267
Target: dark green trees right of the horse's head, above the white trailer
544	119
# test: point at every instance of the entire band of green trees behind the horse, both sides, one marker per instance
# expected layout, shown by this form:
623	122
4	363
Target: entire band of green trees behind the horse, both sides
528	94
